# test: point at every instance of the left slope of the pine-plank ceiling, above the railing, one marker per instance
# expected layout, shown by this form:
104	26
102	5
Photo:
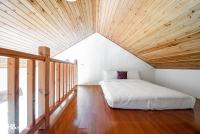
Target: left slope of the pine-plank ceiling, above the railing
27	24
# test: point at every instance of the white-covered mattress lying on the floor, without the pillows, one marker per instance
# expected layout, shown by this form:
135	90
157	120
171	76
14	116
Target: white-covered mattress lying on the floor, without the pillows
139	94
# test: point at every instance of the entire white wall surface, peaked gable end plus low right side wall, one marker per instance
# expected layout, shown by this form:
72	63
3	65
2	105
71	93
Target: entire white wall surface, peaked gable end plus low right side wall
96	54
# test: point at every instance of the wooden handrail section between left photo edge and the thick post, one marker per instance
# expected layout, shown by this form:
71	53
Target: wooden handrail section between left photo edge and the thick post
17	54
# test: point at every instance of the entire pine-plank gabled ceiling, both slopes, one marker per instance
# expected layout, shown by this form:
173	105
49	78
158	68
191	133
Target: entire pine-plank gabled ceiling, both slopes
164	33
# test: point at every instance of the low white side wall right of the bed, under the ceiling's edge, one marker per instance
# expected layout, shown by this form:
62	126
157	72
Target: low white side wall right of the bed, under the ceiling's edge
187	81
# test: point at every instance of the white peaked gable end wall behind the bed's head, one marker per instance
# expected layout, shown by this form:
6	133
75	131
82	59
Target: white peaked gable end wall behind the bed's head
96	53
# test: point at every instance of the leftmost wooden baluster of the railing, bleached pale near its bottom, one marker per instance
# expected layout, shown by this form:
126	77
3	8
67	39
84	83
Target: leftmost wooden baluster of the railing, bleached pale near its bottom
13	95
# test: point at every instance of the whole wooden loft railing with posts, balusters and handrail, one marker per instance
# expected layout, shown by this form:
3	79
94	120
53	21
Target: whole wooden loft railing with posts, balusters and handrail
56	81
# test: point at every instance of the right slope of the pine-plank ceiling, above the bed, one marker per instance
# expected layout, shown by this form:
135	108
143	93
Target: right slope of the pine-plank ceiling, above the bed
164	33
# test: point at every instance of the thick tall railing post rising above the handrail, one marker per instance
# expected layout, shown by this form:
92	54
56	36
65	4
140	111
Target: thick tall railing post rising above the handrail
43	94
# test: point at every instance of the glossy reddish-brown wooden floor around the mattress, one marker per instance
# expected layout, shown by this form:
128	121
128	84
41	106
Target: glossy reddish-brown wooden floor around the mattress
88	113
